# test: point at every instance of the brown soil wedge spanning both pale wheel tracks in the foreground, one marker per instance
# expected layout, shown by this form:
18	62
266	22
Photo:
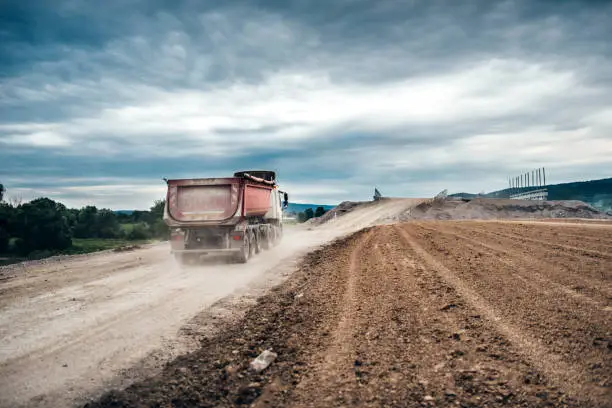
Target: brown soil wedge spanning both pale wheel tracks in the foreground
415	342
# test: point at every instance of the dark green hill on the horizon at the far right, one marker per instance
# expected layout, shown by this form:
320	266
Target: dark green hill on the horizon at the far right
597	193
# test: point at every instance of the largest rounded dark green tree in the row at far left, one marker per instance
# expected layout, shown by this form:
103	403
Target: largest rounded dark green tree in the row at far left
43	225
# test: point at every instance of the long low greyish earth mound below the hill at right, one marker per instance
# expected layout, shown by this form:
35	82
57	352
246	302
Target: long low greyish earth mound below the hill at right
486	208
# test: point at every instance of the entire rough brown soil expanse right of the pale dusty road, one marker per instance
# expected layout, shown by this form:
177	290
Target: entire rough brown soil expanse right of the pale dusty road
433	313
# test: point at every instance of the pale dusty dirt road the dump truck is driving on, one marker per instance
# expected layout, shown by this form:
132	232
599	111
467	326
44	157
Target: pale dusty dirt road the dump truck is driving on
71	328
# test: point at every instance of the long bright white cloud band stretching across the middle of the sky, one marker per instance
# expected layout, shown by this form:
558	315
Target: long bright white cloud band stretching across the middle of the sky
290	108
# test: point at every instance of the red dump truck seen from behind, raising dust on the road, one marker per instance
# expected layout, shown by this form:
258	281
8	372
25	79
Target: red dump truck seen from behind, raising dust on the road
236	216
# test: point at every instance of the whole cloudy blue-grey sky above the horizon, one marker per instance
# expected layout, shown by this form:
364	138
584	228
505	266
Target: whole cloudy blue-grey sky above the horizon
100	100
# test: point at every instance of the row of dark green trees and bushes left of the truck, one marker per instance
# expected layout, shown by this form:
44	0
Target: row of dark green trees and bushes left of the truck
46	225
